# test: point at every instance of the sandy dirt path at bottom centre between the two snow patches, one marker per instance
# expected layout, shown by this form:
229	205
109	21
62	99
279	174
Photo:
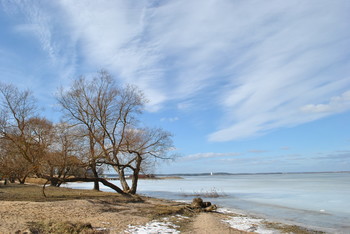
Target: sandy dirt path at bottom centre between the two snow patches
210	223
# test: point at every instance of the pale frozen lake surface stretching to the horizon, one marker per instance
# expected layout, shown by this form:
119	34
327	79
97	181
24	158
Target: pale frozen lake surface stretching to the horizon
315	200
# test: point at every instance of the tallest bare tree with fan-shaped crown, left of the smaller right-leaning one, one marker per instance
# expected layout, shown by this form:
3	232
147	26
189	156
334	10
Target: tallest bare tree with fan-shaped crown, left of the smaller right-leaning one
105	111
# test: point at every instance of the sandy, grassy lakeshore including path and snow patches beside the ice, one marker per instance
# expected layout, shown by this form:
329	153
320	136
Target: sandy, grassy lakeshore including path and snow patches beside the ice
113	213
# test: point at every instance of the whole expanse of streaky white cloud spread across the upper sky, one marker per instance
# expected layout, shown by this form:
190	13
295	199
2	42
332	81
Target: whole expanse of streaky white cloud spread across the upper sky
268	62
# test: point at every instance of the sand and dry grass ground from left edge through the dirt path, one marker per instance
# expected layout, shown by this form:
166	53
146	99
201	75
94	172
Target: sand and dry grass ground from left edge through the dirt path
101	213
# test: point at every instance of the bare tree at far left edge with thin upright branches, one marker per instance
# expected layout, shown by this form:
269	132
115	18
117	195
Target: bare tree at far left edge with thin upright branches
18	131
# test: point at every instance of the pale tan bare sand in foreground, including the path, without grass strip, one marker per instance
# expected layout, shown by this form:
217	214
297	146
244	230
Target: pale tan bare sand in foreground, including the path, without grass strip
104	217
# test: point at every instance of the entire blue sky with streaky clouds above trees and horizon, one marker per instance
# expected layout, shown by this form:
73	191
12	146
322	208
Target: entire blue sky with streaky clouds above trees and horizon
244	86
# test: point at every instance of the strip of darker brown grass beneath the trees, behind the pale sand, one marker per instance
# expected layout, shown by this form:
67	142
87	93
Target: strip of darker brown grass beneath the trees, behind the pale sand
149	207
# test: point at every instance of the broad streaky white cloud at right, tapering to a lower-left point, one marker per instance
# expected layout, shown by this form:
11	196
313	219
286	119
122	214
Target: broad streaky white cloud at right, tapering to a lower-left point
297	56
